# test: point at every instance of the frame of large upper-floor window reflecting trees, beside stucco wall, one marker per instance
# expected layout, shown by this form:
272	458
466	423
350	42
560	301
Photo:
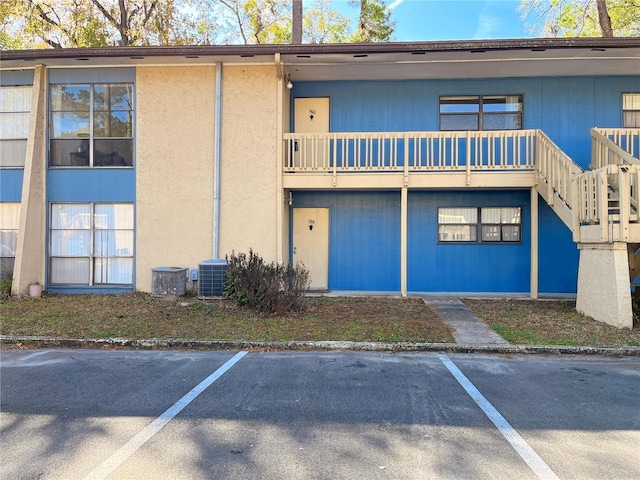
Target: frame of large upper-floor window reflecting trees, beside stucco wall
92	137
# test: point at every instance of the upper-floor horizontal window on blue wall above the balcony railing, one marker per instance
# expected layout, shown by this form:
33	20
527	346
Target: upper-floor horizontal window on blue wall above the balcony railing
489	112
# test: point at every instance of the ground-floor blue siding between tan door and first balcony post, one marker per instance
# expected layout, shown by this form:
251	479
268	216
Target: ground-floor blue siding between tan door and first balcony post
364	238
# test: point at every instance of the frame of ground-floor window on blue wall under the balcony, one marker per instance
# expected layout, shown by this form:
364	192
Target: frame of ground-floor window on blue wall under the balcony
477	228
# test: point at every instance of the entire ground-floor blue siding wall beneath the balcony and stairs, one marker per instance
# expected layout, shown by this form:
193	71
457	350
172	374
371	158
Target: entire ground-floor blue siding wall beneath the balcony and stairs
364	244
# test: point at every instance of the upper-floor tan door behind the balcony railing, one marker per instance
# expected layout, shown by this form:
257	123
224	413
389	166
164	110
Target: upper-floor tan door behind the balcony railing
311	116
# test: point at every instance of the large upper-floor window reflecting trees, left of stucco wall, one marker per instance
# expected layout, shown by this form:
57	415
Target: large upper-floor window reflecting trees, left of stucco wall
91	125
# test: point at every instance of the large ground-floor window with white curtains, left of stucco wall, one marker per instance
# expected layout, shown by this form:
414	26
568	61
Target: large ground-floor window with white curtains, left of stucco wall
91	244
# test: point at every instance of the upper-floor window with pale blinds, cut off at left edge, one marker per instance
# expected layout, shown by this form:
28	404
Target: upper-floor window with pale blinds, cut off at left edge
15	104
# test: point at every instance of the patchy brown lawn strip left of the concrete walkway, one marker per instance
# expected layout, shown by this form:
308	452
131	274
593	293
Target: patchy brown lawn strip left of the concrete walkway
141	316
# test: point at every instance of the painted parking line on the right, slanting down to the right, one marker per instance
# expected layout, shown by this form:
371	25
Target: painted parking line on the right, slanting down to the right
539	467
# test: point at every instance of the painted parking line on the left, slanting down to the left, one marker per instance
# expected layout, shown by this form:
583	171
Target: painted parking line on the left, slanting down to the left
129	448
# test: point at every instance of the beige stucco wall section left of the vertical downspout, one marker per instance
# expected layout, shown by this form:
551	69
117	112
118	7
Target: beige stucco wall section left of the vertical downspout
174	168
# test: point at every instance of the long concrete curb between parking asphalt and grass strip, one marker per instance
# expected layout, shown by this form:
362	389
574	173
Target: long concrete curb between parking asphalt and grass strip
166	344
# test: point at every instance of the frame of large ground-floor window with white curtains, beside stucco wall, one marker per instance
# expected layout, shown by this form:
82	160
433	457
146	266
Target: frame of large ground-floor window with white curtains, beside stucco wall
93	255
